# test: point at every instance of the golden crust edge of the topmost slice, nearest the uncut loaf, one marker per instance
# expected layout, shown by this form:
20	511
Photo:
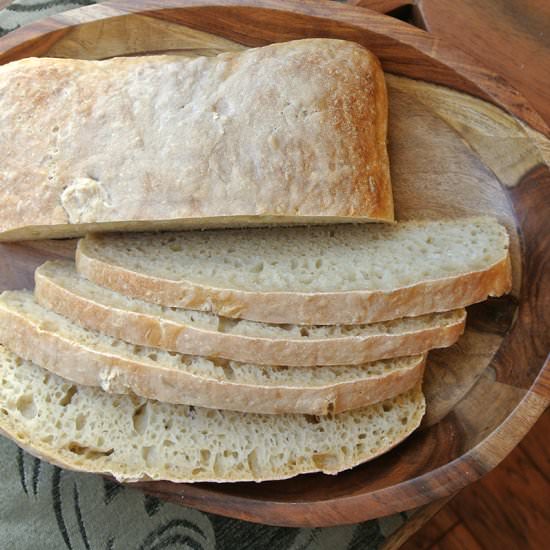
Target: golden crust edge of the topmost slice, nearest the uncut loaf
323	308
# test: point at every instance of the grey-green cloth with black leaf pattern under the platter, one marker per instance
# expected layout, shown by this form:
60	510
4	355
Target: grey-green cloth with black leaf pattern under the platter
43	507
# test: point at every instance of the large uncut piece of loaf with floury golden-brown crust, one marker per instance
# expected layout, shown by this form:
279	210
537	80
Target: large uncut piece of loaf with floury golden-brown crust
287	133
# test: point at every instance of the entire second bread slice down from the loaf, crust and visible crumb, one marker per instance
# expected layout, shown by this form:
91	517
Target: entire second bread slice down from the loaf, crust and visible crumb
61	289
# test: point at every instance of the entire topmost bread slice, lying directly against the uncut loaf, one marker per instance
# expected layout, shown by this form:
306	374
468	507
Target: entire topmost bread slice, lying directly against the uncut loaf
323	275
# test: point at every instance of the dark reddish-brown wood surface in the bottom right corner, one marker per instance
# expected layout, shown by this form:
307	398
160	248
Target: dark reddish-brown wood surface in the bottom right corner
507	509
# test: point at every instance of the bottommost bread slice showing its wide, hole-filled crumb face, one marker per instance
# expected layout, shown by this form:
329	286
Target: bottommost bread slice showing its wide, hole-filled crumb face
132	438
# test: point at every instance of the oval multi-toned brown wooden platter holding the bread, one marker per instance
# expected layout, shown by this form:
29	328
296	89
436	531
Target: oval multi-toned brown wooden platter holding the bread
461	142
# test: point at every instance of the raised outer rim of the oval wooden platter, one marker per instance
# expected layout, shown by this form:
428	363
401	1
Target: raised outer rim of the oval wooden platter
367	505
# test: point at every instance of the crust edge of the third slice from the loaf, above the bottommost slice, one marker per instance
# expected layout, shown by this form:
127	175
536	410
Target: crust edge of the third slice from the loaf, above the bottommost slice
38	343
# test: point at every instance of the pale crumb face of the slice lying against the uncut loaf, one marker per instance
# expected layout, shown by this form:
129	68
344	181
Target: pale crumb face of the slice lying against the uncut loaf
310	259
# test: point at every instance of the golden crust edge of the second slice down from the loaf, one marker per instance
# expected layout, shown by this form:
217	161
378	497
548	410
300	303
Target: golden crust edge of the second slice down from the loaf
152	330
